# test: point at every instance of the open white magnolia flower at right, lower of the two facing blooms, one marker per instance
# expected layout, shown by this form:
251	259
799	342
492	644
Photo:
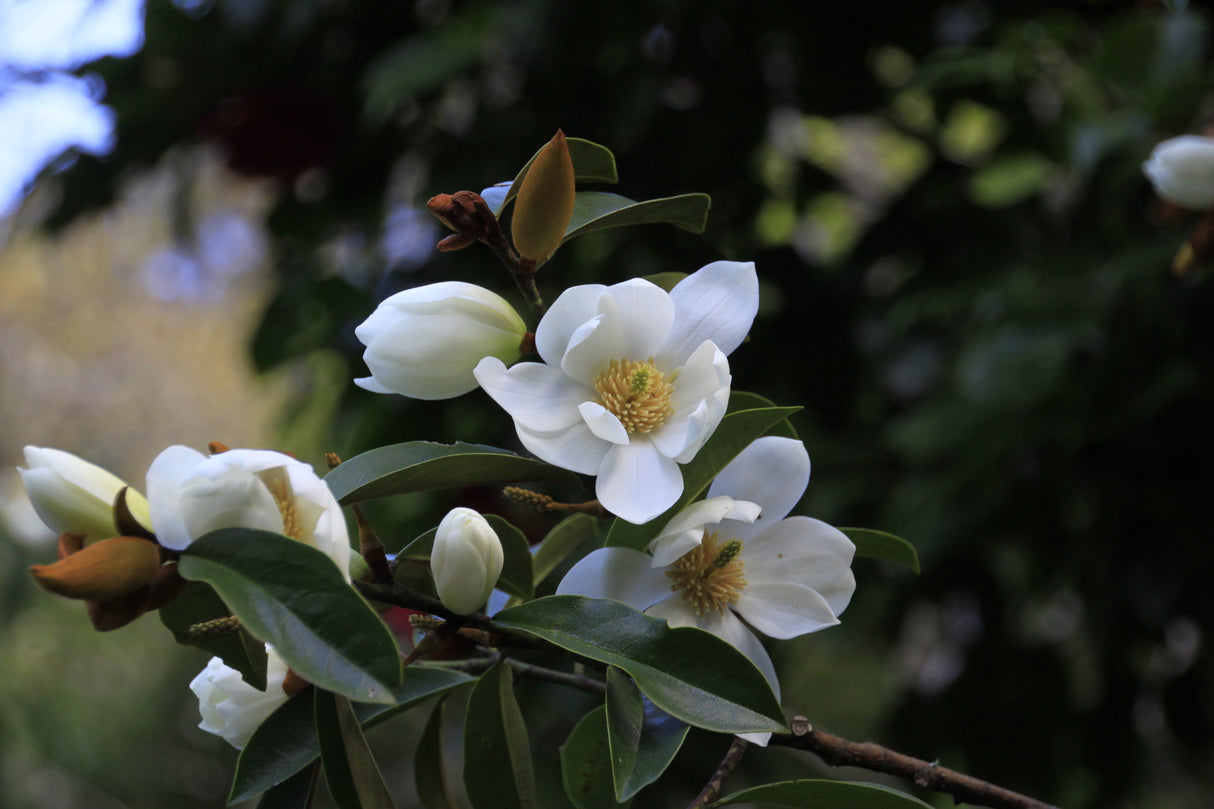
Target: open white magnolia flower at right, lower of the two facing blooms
752	569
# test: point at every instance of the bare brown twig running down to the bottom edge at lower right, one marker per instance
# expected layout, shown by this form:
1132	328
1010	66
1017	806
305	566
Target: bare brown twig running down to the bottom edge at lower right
843	753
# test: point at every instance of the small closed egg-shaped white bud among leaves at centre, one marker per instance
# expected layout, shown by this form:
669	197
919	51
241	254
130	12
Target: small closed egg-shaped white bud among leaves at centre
467	561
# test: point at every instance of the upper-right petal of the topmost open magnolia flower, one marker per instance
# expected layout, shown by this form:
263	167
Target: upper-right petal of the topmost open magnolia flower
717	303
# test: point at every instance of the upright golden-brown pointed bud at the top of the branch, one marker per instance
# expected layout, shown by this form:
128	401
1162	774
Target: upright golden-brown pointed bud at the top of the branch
546	202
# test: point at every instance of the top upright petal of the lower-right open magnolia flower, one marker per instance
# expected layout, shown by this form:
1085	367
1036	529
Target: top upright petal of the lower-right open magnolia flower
773	472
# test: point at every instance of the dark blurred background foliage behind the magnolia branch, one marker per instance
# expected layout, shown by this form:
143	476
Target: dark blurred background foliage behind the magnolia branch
966	282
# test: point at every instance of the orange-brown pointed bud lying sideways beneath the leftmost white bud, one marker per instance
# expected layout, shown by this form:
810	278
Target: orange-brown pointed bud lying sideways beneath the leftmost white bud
106	570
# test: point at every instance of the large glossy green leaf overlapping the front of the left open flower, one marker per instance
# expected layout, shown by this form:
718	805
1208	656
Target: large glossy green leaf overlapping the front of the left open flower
293	597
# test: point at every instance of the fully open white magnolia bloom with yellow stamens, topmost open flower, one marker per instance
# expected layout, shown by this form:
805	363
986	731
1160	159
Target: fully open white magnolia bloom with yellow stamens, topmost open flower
634	382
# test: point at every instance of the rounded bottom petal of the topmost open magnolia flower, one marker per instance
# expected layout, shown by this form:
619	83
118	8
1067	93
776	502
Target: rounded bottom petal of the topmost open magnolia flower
638	483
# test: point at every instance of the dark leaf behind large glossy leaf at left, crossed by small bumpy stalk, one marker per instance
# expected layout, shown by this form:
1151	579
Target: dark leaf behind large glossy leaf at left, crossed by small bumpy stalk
198	604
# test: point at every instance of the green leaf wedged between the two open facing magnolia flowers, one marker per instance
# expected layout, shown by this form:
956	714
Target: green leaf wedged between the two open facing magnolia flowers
734	435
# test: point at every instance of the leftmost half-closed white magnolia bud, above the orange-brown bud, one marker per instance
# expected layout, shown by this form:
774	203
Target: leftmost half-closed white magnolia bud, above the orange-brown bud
72	495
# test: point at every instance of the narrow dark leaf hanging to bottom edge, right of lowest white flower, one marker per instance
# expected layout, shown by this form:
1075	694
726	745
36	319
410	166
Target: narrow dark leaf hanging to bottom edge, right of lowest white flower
355	780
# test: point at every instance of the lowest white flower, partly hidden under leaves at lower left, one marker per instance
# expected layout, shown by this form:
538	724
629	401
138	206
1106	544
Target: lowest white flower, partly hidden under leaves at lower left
231	708
